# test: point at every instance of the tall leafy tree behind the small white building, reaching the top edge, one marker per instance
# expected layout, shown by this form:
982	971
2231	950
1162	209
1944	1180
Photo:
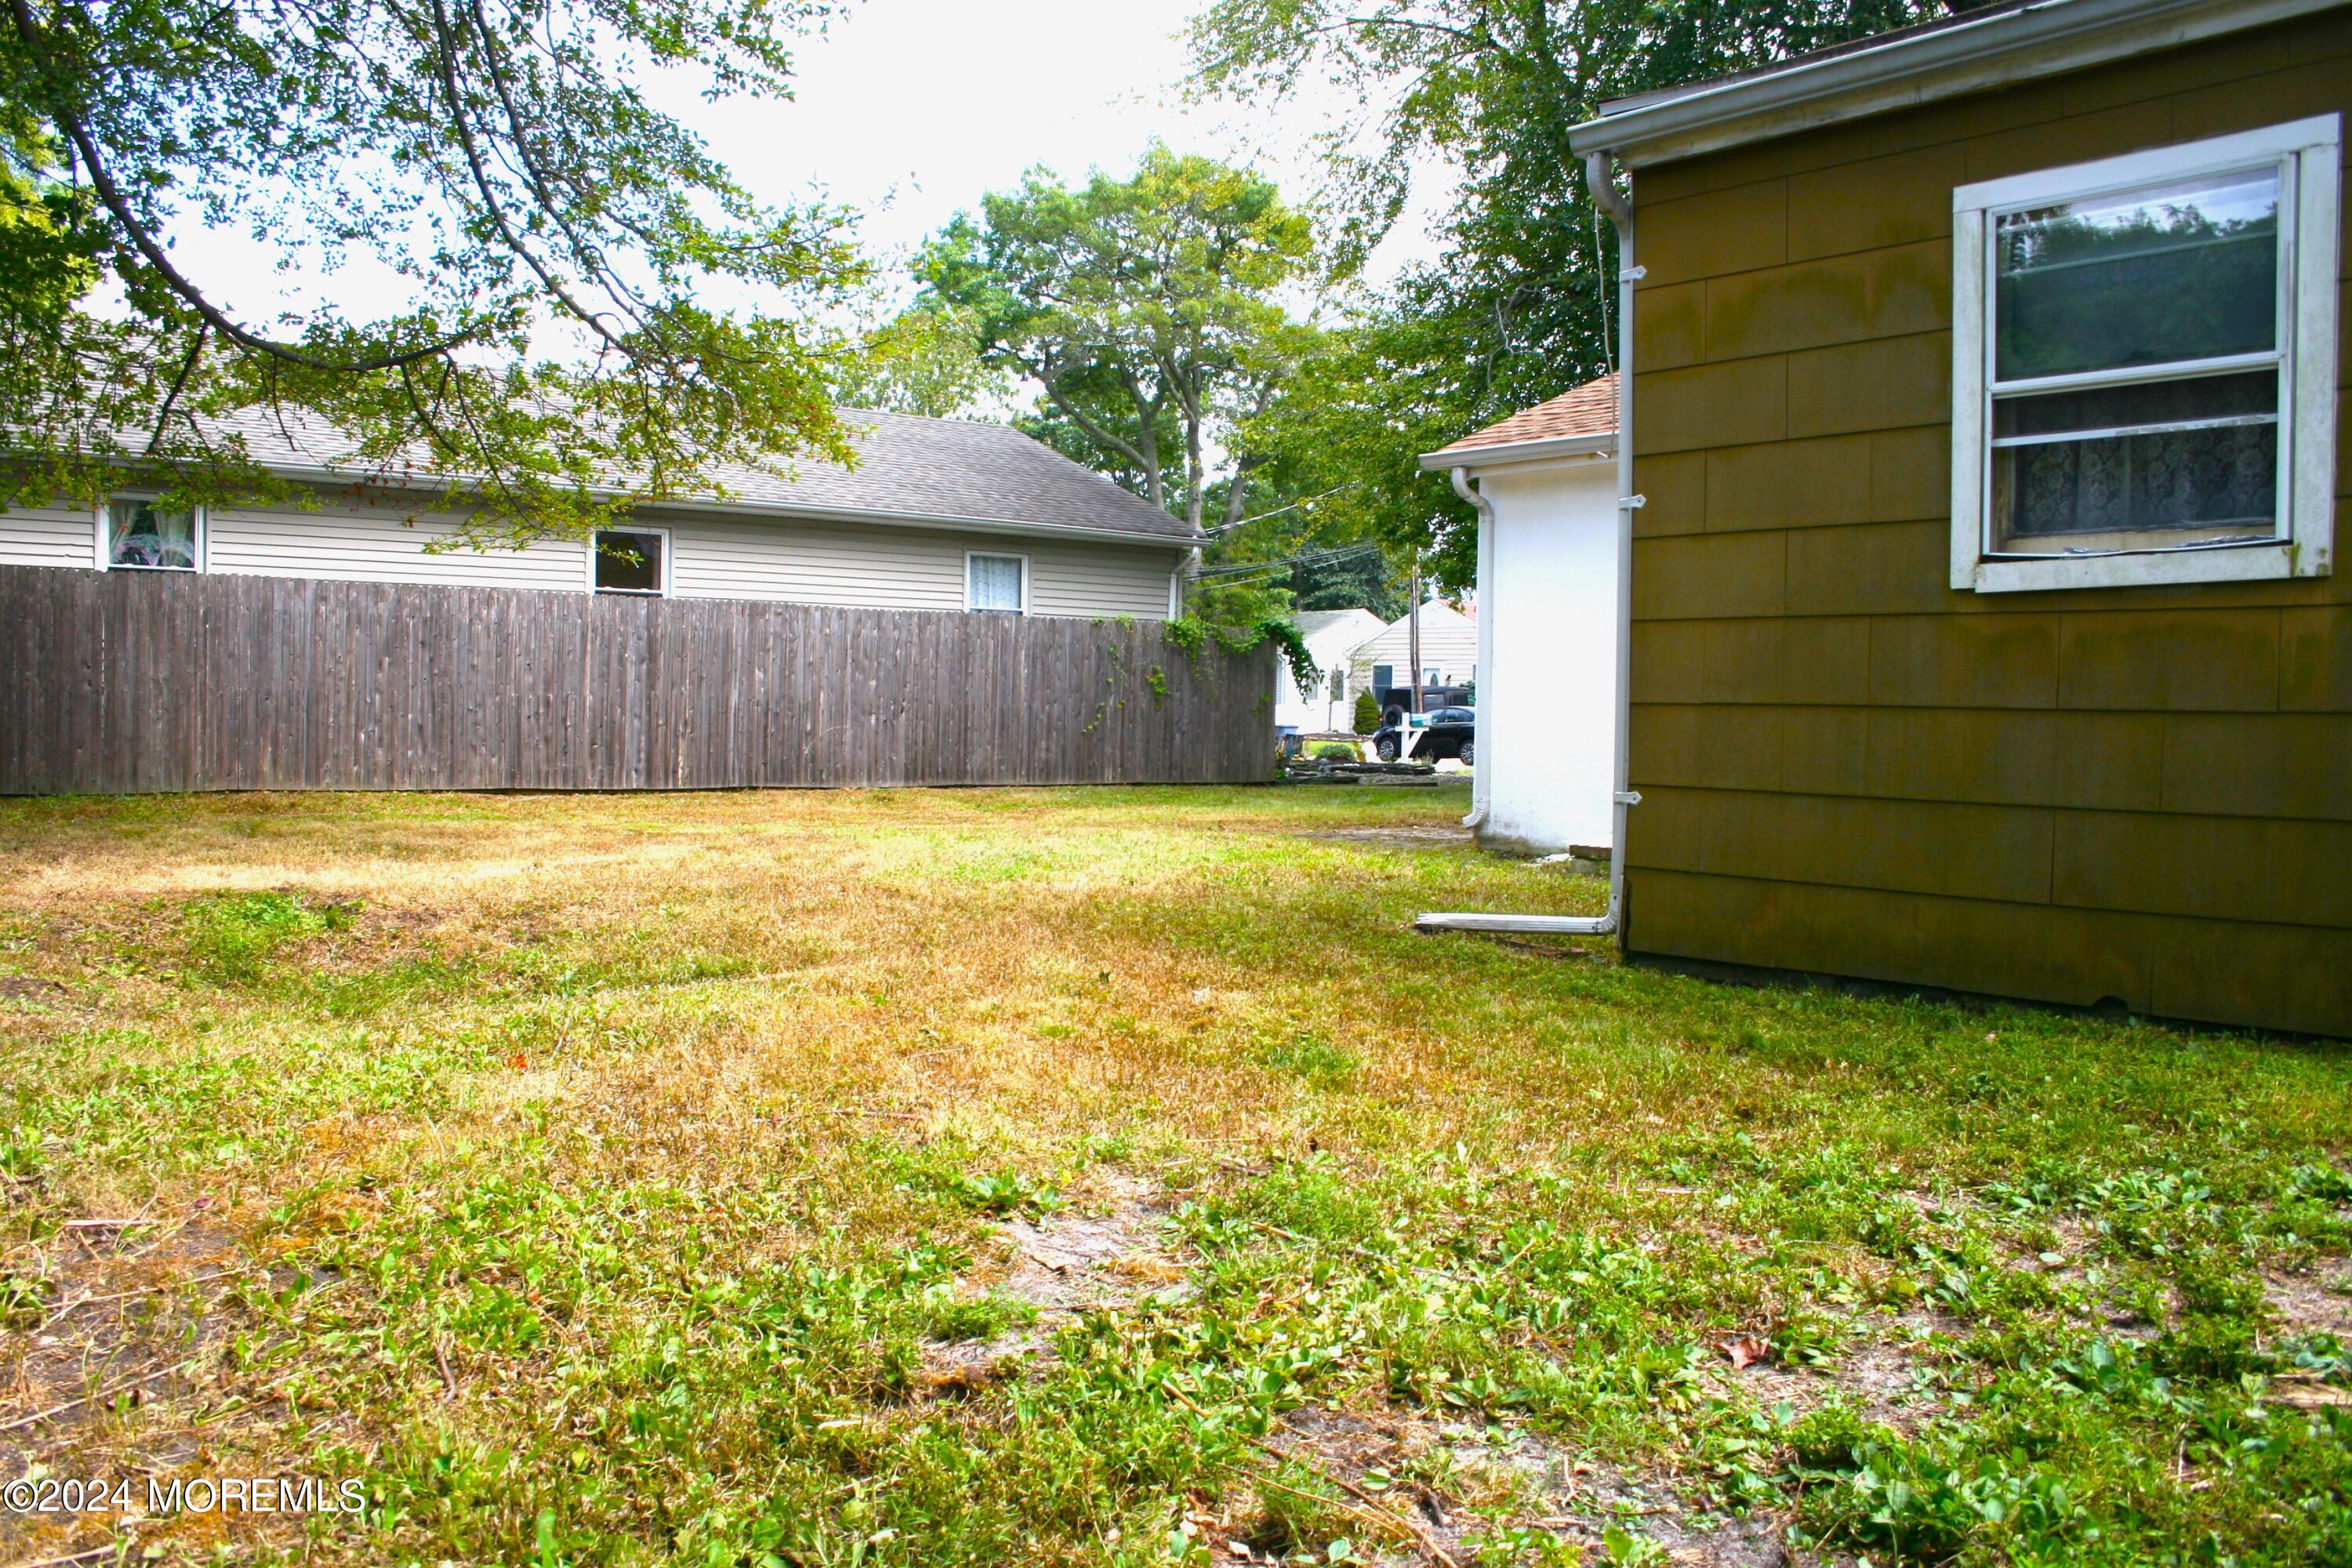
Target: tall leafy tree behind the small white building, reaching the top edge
1514	311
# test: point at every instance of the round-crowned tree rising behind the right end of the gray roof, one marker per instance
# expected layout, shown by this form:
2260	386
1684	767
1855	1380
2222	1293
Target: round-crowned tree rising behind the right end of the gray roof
1149	311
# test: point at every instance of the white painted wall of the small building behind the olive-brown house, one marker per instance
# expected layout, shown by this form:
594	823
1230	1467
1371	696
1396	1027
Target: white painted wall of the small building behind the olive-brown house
1546	718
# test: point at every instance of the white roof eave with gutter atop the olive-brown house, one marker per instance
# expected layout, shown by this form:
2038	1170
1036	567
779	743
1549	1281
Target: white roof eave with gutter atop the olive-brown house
1975	55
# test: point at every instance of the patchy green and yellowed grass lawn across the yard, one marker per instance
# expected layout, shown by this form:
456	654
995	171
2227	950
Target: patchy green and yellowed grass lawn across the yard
1097	1177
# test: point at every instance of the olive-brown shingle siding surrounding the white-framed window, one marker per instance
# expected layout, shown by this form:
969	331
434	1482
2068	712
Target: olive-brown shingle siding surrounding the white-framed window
1845	765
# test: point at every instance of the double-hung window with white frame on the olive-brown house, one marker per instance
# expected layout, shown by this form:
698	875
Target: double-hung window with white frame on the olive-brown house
2144	366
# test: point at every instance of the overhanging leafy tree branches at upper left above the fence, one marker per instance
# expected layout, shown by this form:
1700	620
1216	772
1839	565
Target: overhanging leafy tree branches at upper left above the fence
554	243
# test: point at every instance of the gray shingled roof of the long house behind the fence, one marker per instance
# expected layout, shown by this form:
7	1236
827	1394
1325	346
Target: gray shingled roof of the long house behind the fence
947	469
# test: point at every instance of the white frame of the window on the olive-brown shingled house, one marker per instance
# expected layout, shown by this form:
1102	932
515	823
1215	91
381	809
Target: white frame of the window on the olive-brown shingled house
2311	177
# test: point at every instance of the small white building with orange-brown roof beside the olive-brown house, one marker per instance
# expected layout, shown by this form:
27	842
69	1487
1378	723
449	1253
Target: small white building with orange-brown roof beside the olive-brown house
1544	483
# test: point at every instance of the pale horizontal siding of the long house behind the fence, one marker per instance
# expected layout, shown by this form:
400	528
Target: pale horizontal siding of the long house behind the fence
711	556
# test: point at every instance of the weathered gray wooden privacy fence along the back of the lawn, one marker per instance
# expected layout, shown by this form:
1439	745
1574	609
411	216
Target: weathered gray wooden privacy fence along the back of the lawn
147	681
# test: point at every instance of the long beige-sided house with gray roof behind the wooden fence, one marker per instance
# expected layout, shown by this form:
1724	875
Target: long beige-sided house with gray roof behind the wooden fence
935	516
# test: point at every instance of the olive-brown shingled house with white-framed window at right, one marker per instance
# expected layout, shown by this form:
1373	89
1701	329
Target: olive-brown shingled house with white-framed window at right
1991	612
